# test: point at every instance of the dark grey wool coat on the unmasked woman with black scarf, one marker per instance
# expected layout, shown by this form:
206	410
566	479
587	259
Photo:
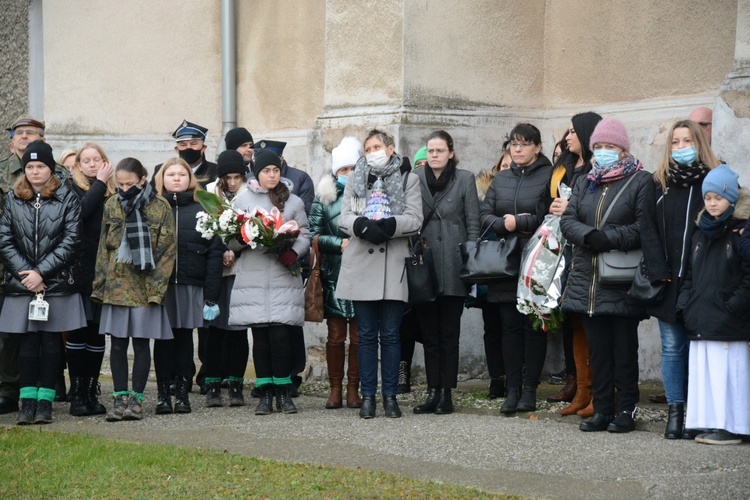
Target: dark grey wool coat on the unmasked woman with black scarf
455	219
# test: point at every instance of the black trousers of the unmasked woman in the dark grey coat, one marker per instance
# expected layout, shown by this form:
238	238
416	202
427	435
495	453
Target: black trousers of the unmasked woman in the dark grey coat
440	322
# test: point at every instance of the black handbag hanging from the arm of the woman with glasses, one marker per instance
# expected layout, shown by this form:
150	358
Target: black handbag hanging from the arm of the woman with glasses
487	261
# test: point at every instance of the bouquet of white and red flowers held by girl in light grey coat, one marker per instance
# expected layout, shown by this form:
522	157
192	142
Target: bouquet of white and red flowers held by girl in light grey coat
258	227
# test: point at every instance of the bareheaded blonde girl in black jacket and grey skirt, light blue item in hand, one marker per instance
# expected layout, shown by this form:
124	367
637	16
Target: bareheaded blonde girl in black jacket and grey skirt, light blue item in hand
193	287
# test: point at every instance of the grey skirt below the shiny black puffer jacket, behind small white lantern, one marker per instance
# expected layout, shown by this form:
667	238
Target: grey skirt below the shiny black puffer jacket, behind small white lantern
66	313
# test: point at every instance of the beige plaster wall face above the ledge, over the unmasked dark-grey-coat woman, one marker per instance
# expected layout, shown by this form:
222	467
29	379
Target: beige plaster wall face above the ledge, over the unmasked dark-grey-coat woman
483	52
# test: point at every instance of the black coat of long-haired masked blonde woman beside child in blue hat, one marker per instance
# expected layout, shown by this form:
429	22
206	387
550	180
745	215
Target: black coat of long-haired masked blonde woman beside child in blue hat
669	226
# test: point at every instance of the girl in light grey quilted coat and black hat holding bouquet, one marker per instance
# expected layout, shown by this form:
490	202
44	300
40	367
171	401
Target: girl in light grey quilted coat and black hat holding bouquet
268	293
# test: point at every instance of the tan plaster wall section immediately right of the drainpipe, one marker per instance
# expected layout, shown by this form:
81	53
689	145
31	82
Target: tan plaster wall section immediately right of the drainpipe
280	63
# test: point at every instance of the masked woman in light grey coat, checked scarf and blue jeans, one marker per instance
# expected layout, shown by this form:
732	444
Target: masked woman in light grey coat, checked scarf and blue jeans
380	212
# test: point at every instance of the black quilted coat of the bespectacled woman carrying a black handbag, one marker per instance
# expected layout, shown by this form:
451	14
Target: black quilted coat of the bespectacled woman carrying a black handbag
518	190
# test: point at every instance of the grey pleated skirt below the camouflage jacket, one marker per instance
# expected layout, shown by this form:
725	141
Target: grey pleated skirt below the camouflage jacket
149	322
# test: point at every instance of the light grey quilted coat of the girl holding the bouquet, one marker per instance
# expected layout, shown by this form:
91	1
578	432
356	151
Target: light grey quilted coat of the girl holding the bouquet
265	292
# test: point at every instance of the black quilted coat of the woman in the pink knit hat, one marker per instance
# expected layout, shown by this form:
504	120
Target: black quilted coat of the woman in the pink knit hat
583	294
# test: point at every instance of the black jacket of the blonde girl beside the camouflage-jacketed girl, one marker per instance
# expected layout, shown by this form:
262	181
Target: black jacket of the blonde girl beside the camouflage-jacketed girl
198	261
